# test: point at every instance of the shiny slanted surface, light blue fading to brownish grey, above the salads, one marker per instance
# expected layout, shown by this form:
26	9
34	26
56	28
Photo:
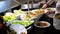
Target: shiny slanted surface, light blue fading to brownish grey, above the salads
5	5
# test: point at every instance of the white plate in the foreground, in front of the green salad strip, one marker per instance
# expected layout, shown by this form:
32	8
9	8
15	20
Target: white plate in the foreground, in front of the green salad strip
18	28
